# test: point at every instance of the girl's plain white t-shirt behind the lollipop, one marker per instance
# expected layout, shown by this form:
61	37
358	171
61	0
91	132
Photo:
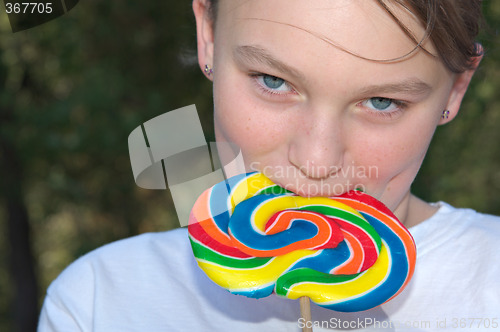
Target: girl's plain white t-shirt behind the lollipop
152	283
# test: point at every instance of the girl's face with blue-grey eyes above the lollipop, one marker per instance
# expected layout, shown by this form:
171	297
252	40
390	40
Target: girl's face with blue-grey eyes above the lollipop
314	118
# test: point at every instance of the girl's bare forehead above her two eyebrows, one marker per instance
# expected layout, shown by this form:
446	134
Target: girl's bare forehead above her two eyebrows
361	27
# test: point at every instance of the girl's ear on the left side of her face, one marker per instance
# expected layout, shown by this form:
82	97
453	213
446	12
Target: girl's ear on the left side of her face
204	33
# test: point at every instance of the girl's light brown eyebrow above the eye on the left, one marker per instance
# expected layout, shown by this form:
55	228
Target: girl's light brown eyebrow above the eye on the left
258	55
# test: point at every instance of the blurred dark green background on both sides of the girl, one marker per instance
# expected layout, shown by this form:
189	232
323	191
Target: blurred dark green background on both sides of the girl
73	89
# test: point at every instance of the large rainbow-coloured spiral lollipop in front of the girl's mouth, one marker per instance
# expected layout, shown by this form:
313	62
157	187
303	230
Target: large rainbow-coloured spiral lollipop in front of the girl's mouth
253	238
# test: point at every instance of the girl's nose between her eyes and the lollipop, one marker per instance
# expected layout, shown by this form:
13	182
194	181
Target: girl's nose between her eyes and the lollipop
317	147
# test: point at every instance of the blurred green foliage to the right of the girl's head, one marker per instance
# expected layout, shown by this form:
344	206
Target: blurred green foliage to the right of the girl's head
462	165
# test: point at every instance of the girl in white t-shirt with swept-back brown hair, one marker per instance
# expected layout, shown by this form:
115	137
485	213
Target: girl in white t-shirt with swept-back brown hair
321	96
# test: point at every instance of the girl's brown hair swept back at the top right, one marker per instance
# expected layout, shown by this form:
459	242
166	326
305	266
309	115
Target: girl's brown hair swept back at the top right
451	25
